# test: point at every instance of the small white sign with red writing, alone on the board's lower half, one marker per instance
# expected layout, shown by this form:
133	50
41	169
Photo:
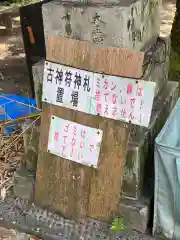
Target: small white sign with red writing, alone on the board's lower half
75	142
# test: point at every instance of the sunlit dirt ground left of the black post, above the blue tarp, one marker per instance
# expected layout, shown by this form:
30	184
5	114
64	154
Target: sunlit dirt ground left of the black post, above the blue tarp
13	70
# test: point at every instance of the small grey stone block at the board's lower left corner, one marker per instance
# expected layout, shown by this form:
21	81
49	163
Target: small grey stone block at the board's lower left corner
24	183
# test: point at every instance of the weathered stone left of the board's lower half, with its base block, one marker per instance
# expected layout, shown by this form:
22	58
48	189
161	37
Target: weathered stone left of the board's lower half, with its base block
24	177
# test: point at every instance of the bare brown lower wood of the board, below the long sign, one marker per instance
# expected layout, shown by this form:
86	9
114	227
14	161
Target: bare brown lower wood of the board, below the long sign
54	182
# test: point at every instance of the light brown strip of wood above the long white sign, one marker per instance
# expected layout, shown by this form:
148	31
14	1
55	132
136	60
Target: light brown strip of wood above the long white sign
88	56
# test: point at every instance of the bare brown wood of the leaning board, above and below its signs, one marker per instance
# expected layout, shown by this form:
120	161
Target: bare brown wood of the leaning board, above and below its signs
97	192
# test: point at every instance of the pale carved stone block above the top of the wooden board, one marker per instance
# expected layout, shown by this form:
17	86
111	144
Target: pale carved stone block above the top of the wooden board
129	24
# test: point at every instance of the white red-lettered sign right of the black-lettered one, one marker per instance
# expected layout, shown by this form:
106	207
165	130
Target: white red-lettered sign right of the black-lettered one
122	99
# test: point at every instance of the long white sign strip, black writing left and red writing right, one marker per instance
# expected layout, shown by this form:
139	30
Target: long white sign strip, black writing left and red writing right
113	97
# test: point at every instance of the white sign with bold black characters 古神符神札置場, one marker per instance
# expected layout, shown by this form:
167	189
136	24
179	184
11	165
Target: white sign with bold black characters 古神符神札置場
68	87
